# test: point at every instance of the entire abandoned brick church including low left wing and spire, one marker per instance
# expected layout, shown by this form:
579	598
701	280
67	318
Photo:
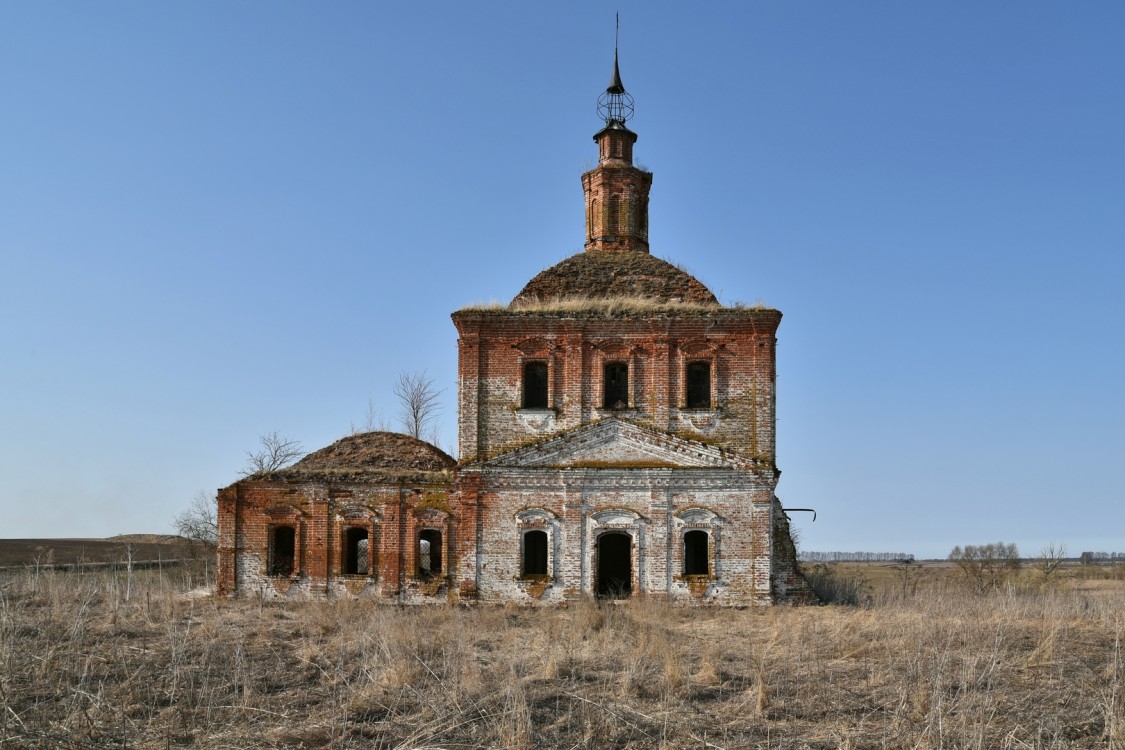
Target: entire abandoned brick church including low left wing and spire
616	433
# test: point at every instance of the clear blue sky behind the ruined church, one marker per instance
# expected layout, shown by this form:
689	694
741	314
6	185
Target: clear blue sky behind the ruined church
222	220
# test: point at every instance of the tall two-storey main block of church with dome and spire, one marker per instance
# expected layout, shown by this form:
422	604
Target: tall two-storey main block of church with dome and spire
617	423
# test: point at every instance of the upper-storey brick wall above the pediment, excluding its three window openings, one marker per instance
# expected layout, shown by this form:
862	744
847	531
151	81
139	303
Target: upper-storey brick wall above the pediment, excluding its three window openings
740	345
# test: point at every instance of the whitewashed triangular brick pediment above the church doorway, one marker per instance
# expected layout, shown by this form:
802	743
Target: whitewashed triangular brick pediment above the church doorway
616	444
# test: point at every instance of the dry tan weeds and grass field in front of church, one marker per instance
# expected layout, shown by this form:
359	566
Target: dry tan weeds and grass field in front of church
80	667
